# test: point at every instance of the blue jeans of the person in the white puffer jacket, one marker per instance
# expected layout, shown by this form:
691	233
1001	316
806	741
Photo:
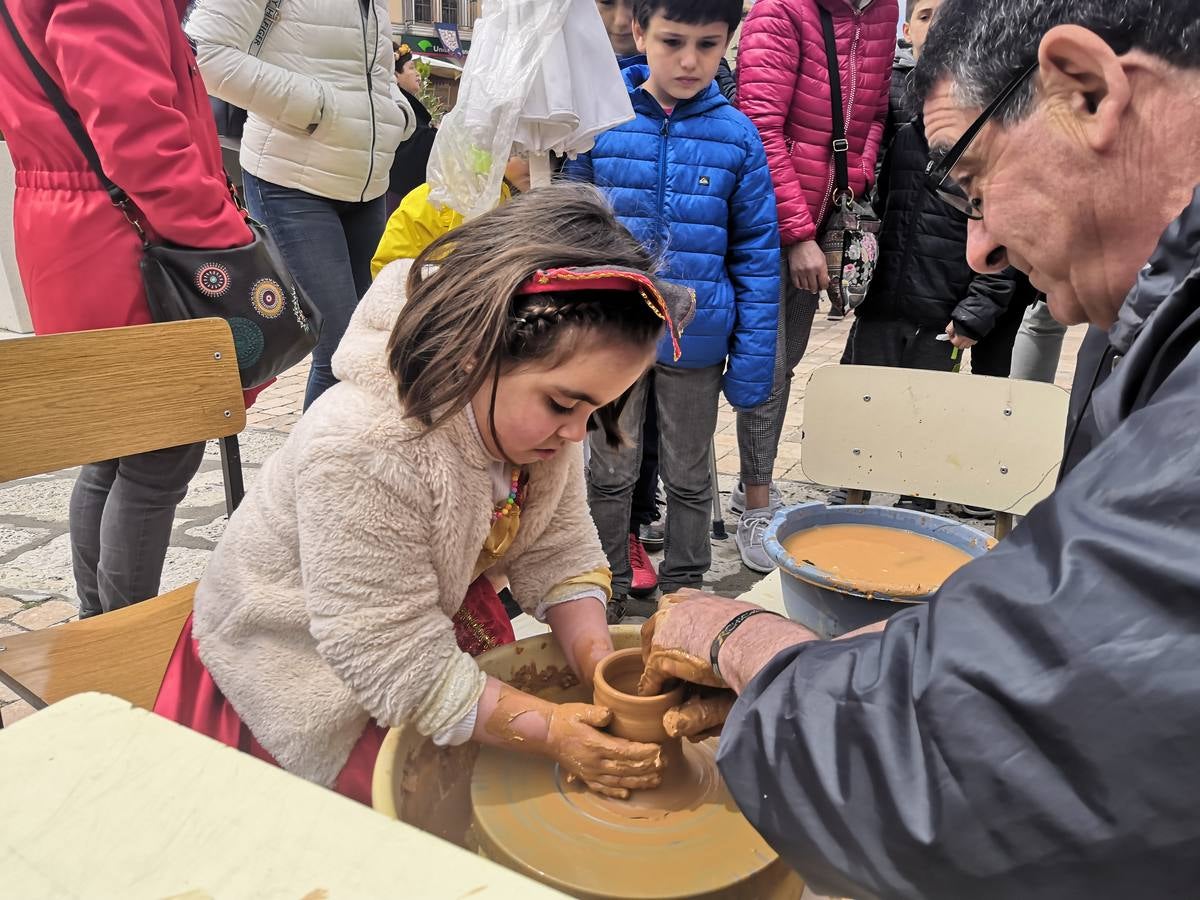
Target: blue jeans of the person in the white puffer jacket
328	247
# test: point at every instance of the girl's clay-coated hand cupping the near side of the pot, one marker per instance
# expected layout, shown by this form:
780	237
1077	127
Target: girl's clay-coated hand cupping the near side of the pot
605	764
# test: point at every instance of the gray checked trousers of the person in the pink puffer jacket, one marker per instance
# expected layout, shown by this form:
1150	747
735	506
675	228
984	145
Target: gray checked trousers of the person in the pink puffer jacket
760	429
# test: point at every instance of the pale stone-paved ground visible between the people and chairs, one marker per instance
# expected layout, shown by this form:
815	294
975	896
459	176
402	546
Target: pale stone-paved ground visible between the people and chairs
38	590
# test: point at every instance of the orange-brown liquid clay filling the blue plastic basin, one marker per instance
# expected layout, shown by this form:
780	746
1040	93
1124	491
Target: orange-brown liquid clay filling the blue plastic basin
875	559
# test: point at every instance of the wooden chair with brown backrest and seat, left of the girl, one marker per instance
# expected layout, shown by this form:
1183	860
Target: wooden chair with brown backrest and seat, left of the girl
74	399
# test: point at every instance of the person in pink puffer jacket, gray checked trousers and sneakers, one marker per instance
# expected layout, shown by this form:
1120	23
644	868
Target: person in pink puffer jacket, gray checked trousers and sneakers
784	88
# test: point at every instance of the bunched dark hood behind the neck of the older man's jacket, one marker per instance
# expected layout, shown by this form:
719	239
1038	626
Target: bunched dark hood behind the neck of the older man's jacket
1175	260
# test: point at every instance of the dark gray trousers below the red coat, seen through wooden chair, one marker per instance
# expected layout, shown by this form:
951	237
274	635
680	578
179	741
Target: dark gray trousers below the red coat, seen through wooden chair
122	515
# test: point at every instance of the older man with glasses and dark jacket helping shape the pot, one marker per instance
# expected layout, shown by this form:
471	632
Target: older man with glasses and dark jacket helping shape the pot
1034	731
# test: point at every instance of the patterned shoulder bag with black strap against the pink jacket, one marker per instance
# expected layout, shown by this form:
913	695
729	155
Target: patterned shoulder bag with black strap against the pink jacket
850	235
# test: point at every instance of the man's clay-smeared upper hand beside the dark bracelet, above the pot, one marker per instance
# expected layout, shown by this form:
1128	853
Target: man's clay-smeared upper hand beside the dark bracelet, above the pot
676	641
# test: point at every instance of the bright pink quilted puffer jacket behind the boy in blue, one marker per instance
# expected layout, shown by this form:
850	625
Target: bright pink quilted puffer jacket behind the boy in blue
784	88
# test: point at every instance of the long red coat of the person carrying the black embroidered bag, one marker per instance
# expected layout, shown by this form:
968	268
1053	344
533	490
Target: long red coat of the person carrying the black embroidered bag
129	71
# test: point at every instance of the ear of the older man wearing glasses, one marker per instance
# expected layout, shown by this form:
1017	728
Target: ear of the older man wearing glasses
1084	80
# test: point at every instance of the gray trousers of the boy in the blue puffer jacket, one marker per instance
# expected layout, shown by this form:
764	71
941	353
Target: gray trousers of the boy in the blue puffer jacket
687	406
